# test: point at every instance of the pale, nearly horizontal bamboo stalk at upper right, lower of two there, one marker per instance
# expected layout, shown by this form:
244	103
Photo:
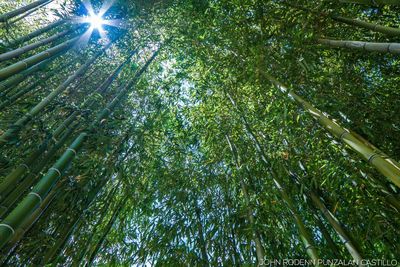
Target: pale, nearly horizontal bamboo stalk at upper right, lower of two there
393	48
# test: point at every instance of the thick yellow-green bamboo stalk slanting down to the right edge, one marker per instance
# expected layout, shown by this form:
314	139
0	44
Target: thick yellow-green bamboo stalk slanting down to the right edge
382	162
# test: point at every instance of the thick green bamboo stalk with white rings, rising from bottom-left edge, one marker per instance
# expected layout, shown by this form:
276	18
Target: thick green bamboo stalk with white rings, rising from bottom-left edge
31	202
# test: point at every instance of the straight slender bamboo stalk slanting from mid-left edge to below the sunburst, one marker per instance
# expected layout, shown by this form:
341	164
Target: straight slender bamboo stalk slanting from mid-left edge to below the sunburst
25	119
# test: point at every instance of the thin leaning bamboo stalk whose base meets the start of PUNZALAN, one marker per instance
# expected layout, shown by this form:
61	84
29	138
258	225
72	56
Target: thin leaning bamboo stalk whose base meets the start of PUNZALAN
305	235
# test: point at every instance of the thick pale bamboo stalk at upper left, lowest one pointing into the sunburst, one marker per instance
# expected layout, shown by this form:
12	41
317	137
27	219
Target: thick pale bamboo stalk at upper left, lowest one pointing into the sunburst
30	61
